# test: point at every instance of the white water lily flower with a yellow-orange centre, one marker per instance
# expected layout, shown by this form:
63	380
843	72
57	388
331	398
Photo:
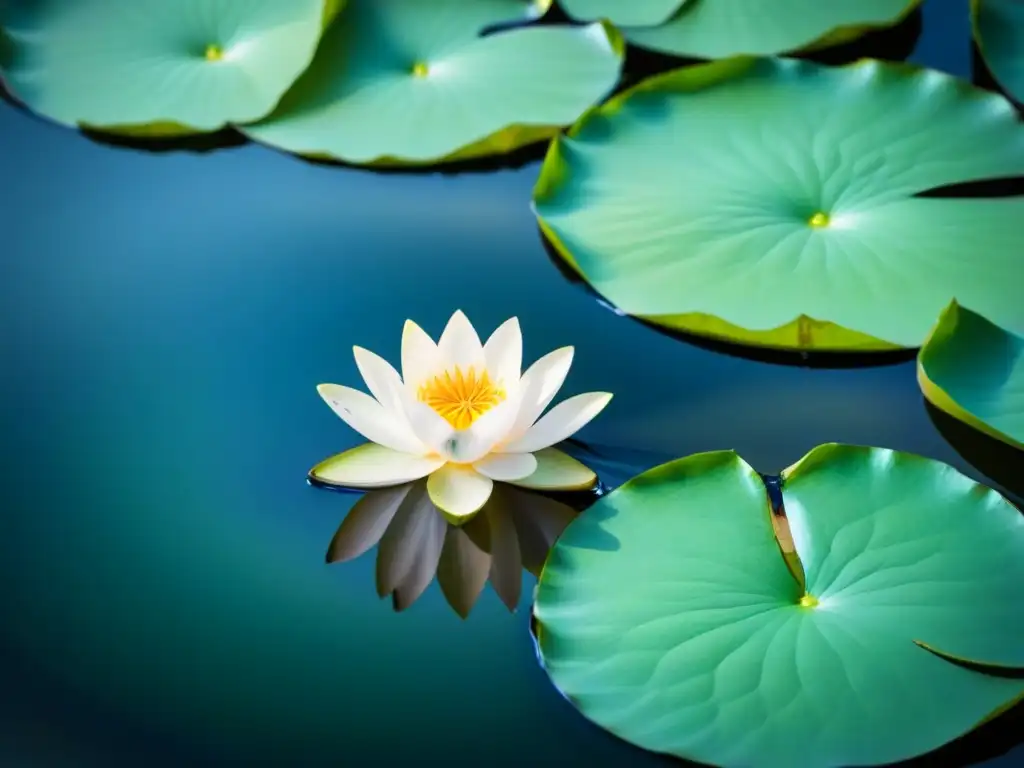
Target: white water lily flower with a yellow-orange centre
462	414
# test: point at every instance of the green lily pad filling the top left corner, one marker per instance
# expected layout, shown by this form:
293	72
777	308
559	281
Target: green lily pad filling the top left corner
158	67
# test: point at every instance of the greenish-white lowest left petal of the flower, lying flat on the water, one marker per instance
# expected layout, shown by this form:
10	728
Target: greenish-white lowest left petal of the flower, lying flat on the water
373	466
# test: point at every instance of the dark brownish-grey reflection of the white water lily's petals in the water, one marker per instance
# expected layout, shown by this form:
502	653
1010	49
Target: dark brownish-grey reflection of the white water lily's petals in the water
515	532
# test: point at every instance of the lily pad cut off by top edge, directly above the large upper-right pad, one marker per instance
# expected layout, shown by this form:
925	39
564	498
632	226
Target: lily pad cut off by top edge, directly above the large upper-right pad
717	29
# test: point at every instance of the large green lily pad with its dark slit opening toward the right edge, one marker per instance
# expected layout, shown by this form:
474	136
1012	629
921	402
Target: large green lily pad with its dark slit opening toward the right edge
777	202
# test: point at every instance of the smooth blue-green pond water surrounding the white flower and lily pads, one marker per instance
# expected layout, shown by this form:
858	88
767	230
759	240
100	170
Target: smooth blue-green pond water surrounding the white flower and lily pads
164	321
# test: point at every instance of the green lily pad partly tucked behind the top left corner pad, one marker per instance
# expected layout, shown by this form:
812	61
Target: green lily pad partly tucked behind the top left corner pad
411	82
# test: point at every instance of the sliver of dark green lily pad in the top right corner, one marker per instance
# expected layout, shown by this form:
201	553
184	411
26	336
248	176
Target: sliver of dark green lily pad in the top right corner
999	30
